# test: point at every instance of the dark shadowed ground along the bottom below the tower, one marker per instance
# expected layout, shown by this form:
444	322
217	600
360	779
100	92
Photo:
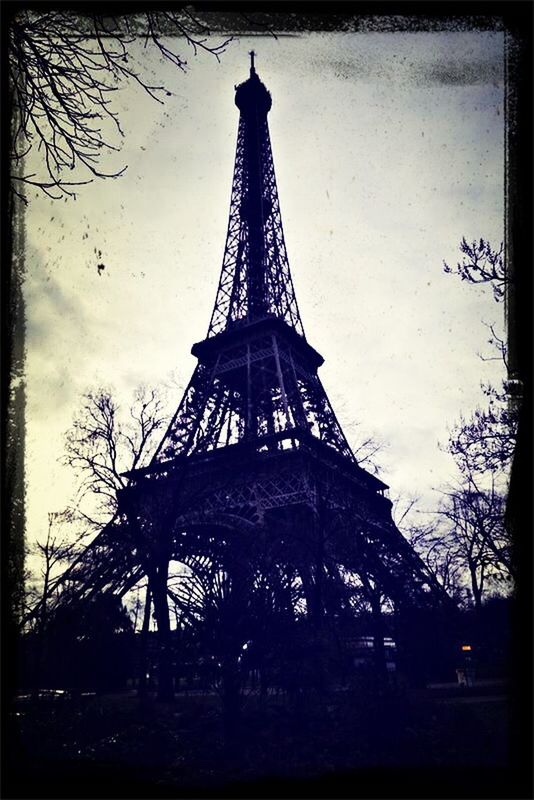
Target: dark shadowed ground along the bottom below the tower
116	745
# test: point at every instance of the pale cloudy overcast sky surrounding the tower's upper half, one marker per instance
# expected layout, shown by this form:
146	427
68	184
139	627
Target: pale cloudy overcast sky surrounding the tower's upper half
388	148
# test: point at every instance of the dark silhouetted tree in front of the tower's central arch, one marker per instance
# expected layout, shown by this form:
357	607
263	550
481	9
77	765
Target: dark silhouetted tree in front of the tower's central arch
232	605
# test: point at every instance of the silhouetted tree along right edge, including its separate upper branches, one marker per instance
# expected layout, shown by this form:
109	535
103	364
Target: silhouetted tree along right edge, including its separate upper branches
483	445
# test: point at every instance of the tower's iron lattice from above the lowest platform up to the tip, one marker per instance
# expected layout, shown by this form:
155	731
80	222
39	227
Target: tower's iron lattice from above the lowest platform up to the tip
256	380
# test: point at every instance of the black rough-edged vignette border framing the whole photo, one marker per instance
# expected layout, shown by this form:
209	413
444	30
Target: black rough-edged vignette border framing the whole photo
516	19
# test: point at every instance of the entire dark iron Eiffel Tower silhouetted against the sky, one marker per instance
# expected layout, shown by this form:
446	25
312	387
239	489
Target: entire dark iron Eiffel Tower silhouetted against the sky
254	483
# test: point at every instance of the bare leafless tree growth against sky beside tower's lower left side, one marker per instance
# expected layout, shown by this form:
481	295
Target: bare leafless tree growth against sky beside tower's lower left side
103	443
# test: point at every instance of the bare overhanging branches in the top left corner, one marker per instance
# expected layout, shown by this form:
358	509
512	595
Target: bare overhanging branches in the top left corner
64	67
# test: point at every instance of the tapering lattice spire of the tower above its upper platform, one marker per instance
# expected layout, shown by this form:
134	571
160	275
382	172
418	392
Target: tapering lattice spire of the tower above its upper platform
255	277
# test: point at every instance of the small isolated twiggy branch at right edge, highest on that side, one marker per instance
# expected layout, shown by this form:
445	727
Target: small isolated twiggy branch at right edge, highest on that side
481	264
